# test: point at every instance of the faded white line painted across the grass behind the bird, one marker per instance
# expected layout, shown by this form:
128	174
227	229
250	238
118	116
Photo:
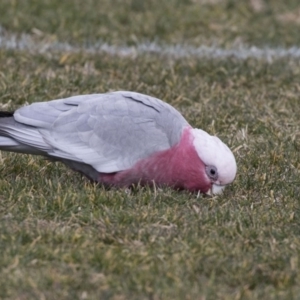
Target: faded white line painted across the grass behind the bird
29	43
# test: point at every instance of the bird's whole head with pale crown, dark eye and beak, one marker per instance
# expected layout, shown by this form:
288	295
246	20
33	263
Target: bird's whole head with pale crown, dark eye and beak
219	161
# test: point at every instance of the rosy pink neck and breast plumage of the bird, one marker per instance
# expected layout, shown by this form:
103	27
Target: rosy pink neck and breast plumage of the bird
179	166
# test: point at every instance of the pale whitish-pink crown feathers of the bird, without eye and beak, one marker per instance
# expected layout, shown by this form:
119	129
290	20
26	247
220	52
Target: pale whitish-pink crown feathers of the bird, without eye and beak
213	152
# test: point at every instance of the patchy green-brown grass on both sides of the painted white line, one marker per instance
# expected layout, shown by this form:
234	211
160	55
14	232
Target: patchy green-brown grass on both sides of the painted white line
64	238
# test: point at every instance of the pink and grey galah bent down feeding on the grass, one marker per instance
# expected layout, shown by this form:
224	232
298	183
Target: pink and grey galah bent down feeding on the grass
121	139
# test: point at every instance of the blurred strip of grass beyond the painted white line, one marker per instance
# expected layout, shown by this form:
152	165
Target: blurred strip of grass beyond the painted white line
177	21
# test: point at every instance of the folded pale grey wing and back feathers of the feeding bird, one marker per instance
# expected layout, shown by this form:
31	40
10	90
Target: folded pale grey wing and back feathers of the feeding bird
110	132
